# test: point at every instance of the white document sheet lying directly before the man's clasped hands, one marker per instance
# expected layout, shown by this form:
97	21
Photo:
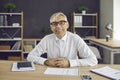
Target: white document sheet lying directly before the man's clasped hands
62	71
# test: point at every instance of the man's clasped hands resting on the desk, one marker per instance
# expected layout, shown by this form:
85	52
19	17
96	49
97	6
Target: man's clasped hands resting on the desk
57	62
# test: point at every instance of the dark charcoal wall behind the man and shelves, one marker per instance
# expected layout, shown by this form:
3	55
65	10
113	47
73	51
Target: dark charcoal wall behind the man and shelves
37	13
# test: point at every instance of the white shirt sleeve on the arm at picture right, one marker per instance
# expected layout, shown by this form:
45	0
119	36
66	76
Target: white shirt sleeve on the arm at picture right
87	56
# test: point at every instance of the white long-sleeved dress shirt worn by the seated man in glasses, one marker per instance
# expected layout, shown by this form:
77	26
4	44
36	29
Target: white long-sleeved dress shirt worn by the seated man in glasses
68	47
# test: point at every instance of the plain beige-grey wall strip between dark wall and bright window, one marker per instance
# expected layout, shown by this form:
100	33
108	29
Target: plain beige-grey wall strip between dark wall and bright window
106	16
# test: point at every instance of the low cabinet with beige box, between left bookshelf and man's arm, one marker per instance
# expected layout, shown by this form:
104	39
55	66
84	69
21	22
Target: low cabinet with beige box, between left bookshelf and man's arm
28	45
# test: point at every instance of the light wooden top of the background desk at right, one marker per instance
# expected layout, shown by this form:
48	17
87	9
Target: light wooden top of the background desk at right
115	44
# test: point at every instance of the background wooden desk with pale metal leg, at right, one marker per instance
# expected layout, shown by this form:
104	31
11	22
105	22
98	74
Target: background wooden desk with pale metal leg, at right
112	45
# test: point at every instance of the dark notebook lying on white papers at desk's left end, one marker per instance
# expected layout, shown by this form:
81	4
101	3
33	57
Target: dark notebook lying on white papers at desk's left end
23	66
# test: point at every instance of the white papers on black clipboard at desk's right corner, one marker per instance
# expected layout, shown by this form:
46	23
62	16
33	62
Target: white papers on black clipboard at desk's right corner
108	72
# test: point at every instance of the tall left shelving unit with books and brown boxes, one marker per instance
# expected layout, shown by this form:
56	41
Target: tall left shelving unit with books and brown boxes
11	36
